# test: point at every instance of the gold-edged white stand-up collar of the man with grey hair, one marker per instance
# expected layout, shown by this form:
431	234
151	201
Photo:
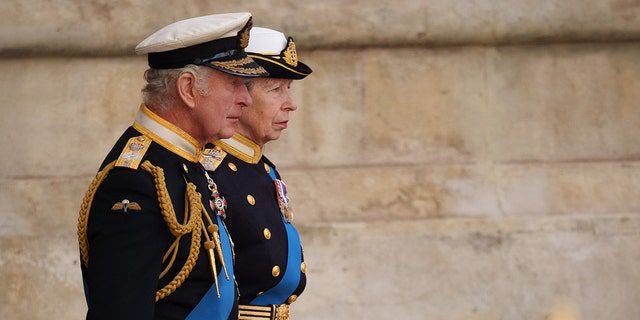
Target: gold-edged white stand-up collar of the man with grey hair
167	135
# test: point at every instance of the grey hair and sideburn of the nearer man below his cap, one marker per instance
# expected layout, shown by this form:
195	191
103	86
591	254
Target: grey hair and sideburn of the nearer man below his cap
160	93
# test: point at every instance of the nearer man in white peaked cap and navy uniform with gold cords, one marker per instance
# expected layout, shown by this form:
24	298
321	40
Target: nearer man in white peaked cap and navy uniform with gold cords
152	241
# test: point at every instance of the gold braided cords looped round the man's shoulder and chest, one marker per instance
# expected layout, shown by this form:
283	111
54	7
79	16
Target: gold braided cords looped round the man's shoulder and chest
192	226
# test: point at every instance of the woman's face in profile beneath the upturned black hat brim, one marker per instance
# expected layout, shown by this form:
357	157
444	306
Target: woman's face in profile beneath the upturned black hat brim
269	115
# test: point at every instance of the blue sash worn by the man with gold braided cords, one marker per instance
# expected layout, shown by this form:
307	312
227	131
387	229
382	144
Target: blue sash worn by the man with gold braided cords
210	307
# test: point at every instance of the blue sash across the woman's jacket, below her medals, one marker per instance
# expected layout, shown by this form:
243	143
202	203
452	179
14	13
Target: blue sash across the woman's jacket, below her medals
291	278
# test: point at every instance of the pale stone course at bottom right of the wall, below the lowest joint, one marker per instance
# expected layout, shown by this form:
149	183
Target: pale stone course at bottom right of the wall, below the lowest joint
454	269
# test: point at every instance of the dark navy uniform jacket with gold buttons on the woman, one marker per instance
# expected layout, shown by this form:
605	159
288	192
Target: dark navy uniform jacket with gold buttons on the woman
264	242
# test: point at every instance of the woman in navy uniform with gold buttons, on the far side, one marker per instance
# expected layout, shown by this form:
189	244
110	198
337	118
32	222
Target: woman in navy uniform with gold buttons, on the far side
269	268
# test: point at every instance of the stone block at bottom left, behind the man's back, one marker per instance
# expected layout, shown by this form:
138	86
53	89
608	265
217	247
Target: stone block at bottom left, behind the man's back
41	278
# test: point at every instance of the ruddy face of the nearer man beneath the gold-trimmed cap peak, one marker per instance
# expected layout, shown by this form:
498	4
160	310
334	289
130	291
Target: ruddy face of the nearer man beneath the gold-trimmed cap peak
217	114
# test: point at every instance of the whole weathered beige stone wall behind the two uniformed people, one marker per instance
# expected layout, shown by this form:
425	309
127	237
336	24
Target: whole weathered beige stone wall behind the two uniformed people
449	159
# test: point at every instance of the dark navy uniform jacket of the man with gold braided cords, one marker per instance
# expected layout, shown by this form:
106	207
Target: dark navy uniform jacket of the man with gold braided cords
126	247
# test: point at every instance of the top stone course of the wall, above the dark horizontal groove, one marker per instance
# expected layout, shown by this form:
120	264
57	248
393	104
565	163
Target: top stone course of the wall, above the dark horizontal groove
100	27
